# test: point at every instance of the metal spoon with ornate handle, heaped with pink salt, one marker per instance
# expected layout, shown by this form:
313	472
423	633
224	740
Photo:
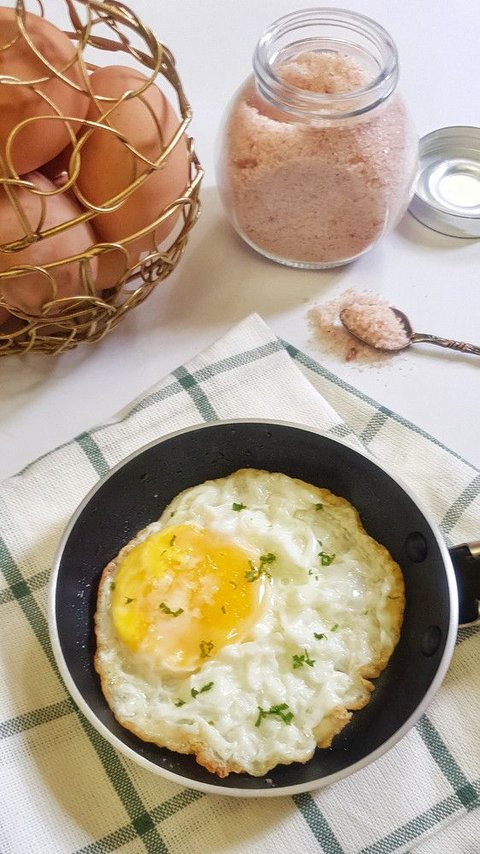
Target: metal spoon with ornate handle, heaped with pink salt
386	328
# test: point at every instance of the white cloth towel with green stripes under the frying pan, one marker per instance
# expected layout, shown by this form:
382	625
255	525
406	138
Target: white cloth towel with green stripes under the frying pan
63	789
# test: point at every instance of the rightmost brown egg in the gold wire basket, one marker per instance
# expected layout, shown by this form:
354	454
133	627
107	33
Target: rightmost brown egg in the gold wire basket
148	122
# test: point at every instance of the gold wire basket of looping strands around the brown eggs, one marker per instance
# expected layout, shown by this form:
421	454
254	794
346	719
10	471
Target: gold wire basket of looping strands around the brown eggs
62	322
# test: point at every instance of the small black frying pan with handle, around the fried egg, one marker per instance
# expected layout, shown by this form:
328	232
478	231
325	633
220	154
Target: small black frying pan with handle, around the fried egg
135	493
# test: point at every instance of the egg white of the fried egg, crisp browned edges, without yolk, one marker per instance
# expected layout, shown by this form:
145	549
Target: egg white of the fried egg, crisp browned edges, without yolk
330	625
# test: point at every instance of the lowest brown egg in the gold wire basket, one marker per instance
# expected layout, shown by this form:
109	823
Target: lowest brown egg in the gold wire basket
29	292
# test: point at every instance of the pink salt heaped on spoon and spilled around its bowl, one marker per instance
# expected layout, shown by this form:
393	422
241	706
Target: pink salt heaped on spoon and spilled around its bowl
371	318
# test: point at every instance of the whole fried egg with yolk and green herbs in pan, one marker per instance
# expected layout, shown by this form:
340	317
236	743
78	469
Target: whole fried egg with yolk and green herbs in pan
245	625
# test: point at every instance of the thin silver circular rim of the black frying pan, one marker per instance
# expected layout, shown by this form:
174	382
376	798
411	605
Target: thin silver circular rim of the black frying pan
217	789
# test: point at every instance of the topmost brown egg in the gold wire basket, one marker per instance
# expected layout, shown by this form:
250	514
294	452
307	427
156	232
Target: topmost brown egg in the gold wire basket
41	140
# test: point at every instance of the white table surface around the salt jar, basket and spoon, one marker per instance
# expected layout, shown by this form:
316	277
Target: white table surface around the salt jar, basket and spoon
46	400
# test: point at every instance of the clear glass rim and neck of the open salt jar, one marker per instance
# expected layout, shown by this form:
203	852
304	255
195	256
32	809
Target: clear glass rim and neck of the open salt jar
335	33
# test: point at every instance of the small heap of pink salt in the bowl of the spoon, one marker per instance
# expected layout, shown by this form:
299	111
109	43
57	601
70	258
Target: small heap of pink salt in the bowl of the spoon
375	324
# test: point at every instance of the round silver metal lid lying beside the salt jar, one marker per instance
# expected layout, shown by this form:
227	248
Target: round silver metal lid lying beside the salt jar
447	192
